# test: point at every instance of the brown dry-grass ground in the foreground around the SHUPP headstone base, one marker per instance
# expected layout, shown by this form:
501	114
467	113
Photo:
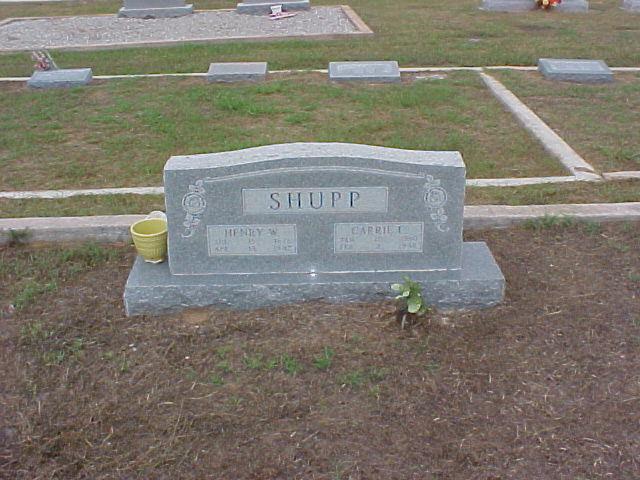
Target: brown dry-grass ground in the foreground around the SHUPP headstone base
543	386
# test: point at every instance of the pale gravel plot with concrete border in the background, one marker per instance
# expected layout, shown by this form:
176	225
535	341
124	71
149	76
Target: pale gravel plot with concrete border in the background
107	30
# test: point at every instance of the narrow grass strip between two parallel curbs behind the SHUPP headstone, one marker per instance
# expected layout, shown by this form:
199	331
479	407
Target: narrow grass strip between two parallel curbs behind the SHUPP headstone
609	192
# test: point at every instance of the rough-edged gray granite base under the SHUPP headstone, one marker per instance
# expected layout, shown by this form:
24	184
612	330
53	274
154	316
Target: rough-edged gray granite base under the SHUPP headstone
151	289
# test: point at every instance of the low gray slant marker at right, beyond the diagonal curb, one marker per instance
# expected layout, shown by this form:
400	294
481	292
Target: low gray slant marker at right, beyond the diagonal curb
580	71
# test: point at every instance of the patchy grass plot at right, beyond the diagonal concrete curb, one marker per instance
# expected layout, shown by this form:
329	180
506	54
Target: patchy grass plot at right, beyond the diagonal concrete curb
599	121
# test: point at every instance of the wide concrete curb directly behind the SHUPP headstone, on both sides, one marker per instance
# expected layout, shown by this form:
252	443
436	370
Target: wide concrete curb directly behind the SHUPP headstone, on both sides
115	228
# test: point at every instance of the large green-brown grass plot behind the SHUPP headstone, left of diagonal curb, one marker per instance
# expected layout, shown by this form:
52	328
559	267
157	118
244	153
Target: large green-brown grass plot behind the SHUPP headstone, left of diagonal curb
121	133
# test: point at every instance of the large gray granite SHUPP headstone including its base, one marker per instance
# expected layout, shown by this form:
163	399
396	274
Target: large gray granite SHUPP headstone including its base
341	222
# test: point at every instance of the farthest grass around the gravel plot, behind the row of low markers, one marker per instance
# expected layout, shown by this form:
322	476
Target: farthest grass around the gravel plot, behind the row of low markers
414	32
